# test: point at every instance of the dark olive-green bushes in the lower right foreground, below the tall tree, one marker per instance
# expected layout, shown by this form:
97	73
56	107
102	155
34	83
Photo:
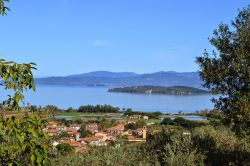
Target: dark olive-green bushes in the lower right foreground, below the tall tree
206	145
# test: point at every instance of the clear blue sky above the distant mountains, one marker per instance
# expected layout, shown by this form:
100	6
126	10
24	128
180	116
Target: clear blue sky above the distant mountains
75	36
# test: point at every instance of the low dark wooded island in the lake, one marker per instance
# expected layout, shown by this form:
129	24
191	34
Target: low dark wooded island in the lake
174	90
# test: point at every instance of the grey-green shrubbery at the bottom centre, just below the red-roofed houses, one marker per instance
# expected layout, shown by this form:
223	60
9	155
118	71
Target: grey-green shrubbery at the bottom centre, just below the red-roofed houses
109	156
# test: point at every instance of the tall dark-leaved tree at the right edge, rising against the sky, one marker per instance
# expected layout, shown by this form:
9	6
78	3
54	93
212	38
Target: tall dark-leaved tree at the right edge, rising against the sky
228	74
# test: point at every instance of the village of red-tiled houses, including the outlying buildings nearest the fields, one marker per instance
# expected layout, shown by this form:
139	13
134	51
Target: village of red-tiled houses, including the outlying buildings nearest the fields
118	133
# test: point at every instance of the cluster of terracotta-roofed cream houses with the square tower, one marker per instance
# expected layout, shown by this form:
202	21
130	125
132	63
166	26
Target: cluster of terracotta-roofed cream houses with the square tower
98	138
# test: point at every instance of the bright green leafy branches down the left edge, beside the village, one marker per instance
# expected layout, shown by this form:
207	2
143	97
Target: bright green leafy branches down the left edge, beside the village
22	139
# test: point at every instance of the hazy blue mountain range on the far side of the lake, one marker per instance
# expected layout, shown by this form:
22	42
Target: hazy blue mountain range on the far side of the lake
115	79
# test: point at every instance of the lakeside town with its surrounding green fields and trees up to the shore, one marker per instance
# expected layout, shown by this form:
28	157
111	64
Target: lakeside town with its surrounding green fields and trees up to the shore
84	130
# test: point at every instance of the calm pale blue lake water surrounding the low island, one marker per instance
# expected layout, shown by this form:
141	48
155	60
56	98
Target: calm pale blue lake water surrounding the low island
64	97
